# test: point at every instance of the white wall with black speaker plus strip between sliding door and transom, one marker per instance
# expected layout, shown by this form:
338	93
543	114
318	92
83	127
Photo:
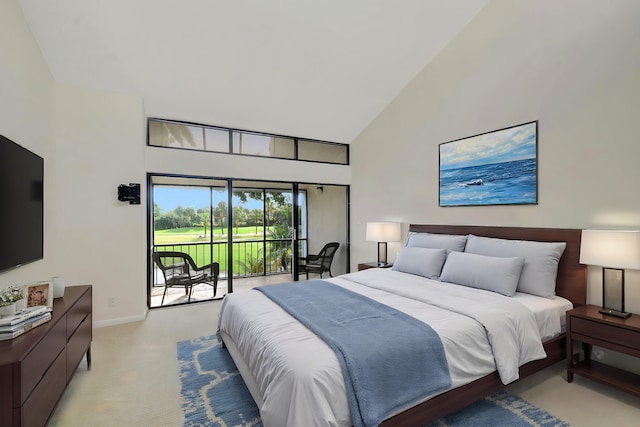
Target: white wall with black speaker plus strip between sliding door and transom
101	144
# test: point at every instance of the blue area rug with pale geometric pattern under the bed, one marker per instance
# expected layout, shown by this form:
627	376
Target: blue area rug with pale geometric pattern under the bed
213	394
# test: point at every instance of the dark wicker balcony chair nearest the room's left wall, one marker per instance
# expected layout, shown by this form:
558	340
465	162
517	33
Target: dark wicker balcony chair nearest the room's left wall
179	270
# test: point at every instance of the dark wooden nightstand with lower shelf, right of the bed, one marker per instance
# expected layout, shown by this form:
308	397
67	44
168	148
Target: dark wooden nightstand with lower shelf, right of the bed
586	325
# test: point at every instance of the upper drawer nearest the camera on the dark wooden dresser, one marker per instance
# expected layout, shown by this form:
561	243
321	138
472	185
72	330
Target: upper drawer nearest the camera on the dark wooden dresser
36	363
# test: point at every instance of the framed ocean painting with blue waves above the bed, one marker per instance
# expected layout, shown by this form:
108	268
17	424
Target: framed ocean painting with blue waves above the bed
492	168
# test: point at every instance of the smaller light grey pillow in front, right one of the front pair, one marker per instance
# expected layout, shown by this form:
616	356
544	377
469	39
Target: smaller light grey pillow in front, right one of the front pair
496	274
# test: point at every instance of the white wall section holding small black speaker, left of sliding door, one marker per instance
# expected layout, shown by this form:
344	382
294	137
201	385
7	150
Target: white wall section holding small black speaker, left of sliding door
100	240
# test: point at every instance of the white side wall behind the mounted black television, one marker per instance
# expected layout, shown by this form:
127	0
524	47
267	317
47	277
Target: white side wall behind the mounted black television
27	117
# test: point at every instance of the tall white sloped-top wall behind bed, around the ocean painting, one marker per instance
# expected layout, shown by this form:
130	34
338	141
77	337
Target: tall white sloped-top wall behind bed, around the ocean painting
572	65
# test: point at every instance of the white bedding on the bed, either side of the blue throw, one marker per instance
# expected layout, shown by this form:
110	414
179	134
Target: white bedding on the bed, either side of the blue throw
295	377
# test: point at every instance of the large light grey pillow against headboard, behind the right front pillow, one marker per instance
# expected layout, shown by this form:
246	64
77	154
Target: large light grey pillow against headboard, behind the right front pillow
540	261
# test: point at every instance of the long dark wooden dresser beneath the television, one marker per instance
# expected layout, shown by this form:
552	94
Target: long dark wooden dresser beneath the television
36	367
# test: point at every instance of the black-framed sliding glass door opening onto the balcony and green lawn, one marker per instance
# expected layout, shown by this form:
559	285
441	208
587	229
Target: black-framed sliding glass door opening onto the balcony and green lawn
255	230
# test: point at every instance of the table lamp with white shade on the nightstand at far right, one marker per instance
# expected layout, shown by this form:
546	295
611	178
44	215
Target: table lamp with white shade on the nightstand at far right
613	251
